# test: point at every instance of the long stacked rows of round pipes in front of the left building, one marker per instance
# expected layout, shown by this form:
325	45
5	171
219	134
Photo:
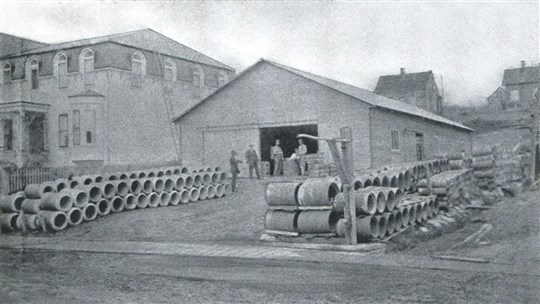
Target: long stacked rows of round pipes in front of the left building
54	205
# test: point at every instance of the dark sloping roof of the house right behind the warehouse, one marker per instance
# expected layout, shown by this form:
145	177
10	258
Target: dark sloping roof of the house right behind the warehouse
395	86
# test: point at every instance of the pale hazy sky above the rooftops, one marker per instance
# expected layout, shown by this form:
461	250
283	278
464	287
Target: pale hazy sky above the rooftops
469	44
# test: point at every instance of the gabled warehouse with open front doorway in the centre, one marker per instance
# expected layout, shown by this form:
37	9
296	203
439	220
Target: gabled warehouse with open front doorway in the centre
271	101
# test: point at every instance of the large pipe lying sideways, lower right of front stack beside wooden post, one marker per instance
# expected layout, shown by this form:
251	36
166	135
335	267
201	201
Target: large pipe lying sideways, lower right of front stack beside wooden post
317	221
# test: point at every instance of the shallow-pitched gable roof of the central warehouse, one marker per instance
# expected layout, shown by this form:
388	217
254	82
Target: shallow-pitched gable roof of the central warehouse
360	94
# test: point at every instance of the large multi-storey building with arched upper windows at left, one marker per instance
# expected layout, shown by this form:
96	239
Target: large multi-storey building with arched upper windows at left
103	100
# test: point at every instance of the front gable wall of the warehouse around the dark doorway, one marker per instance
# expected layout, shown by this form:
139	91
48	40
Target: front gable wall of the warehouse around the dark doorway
268	96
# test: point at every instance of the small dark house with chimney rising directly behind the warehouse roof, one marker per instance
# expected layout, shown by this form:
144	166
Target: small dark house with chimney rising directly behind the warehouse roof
417	89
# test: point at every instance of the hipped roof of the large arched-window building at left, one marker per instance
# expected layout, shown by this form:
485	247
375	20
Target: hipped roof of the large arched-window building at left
146	39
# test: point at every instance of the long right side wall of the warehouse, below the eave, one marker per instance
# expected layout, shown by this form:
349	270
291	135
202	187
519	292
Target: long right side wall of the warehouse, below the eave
438	138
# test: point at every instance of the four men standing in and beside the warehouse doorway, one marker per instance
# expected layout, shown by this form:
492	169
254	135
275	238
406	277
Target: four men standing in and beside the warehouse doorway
276	155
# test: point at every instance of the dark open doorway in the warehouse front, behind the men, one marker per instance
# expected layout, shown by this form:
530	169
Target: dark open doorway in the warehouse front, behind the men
288	140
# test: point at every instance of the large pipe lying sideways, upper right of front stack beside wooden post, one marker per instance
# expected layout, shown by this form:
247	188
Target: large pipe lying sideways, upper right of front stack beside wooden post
317	192
